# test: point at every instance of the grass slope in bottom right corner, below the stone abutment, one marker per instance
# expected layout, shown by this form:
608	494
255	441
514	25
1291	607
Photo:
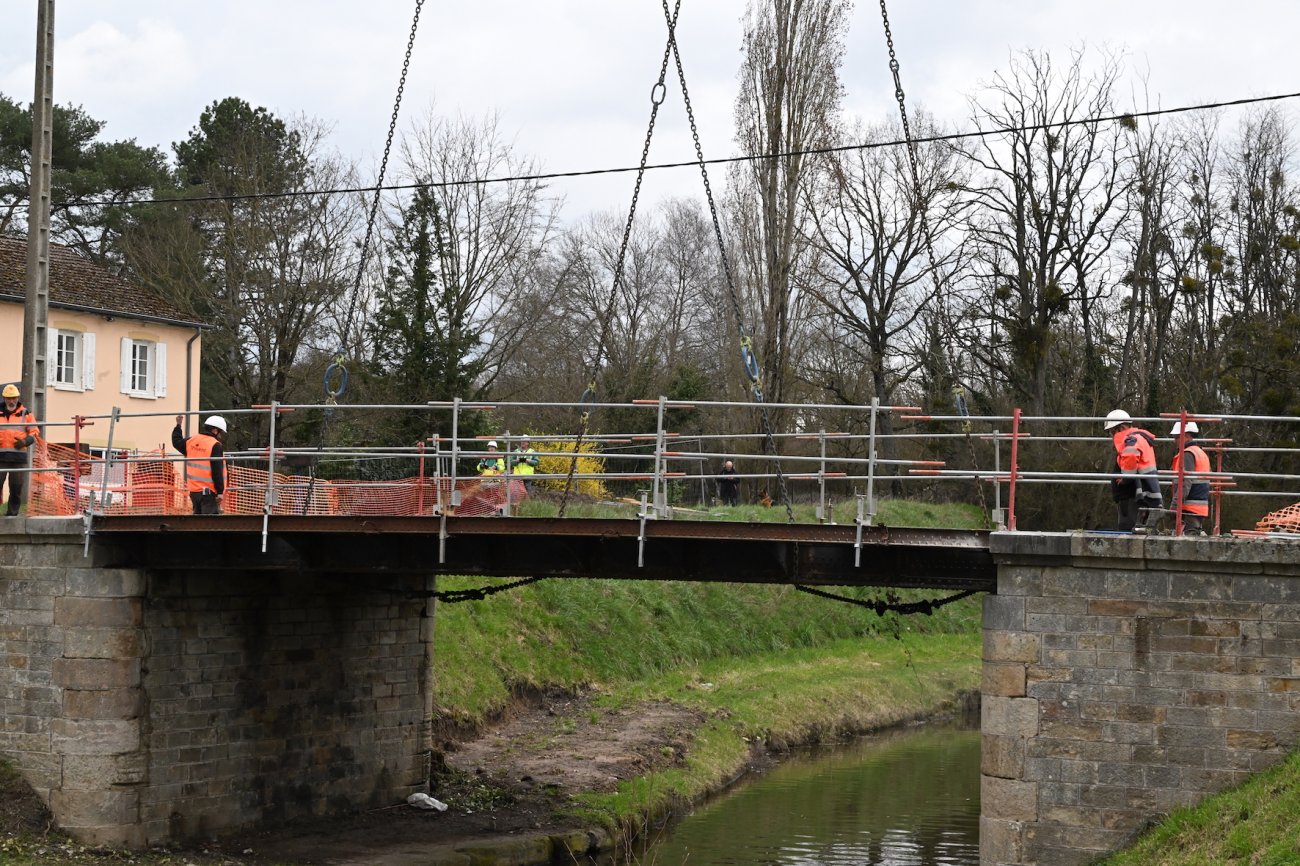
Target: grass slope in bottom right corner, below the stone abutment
1255	825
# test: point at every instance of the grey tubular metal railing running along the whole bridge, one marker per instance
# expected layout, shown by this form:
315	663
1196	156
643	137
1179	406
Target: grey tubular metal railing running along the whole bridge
436	478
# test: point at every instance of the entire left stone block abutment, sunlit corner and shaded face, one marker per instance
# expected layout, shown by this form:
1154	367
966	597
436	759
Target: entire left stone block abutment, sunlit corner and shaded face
151	708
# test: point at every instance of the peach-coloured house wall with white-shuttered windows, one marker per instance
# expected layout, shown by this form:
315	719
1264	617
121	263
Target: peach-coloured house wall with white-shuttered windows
99	393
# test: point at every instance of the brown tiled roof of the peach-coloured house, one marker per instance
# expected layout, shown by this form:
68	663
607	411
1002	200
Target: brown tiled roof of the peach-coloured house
77	283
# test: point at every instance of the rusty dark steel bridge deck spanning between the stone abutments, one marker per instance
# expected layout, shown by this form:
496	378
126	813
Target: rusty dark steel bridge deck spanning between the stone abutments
766	553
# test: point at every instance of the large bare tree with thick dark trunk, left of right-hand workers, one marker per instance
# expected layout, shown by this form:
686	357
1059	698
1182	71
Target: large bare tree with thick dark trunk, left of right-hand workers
1047	210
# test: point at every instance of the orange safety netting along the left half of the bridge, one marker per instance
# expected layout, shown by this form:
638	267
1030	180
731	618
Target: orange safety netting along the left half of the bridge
67	483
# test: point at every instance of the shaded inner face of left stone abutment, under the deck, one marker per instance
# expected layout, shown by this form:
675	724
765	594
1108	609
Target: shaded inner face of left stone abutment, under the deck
274	698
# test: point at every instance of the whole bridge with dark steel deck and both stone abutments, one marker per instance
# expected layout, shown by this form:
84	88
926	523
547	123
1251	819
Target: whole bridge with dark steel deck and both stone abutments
171	677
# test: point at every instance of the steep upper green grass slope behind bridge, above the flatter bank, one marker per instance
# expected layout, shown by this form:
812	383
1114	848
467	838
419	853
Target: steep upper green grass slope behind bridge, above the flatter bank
604	633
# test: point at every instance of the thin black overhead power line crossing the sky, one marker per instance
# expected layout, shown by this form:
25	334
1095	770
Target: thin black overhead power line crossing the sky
695	164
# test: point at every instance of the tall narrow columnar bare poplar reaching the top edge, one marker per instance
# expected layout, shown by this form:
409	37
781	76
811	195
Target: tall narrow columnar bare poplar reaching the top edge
790	94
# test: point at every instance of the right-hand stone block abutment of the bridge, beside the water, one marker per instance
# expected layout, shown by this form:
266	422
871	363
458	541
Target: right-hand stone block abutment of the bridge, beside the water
1126	677
